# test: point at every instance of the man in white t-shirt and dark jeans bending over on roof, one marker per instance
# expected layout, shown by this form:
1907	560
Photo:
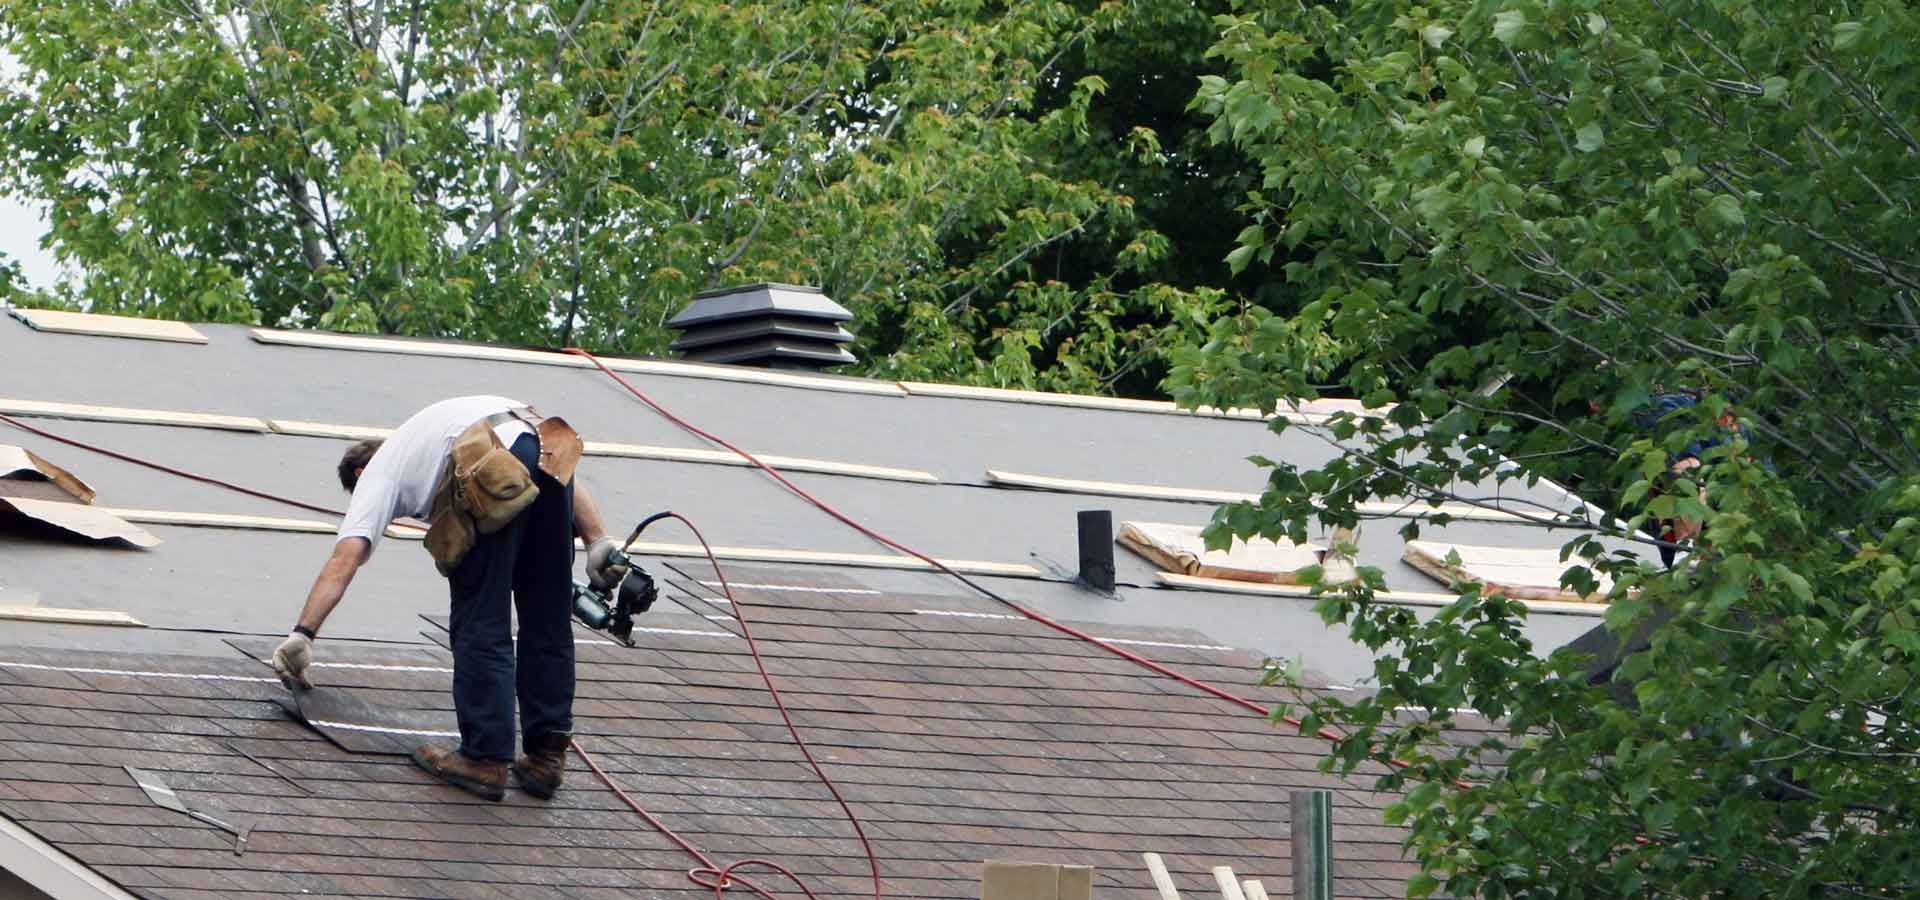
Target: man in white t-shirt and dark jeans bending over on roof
494	481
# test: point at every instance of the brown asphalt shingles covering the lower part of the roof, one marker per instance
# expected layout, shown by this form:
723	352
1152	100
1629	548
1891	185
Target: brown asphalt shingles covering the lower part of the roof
953	738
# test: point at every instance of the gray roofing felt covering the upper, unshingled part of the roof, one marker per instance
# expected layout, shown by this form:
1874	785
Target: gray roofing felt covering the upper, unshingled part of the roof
252	582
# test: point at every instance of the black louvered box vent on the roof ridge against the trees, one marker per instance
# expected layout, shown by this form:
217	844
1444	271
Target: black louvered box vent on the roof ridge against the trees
765	325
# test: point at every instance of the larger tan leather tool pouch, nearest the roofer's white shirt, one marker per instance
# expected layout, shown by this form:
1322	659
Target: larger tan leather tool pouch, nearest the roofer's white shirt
479	492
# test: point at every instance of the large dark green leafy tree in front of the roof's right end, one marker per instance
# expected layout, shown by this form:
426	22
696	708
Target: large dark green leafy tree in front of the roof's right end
1518	222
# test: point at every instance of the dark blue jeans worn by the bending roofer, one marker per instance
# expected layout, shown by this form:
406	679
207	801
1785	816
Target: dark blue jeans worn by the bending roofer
531	561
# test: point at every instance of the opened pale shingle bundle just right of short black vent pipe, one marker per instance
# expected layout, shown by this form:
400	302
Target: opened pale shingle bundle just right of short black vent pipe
1182	550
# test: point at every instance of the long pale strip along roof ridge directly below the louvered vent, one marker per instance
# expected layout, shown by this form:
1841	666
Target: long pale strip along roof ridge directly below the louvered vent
562	360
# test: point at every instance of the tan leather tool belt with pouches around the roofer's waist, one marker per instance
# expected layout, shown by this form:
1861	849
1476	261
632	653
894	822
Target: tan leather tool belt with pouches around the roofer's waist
483	486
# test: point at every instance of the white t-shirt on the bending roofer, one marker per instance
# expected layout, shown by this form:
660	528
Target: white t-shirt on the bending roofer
402	475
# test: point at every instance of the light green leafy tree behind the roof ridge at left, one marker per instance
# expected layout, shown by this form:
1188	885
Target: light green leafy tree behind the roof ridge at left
575	172
